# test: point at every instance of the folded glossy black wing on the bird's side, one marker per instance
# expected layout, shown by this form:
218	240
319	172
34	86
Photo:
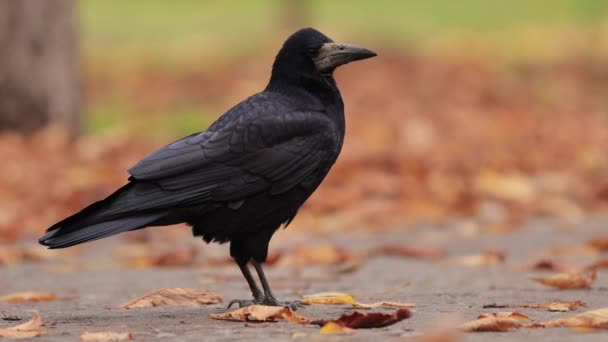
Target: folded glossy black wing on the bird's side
252	154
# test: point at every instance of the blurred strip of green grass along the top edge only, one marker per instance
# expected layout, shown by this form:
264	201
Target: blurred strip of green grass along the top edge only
166	31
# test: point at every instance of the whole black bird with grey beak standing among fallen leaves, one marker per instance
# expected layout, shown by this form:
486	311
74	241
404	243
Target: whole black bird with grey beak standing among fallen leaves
246	175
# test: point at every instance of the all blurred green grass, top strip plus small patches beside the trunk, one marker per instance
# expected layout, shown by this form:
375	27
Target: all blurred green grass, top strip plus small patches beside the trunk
121	36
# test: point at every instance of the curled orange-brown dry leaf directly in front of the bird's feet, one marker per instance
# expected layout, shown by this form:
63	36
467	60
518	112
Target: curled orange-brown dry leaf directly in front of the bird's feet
261	313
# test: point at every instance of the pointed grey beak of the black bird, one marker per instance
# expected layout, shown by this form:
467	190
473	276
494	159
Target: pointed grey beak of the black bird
332	55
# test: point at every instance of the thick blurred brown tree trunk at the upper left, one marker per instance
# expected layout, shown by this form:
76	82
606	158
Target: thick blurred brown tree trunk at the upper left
39	65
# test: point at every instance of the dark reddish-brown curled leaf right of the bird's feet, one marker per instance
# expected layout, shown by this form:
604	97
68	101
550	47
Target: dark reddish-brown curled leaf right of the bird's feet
358	320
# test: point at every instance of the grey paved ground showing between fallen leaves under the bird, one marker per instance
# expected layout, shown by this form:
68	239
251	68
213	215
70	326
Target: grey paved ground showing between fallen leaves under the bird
445	294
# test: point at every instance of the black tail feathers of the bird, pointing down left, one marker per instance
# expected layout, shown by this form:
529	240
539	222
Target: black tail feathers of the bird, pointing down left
99	220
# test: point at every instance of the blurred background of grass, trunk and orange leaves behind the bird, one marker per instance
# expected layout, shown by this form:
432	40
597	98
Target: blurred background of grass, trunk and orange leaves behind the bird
478	115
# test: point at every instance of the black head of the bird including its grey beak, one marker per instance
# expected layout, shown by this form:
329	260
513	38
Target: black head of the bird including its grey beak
311	52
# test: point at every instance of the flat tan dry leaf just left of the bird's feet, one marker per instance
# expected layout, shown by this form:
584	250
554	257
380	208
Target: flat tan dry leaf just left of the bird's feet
175	297
